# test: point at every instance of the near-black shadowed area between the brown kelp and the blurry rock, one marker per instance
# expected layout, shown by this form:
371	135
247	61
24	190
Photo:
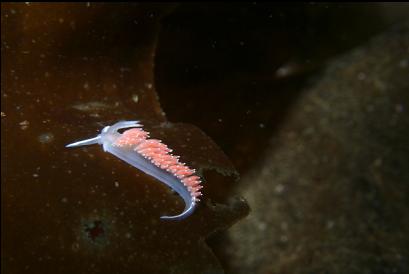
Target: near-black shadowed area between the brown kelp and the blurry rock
235	70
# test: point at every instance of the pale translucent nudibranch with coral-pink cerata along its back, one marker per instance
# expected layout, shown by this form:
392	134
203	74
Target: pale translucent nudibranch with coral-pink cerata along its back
152	157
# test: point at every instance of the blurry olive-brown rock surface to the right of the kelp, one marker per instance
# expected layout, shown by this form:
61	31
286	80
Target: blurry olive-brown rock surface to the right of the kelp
332	193
